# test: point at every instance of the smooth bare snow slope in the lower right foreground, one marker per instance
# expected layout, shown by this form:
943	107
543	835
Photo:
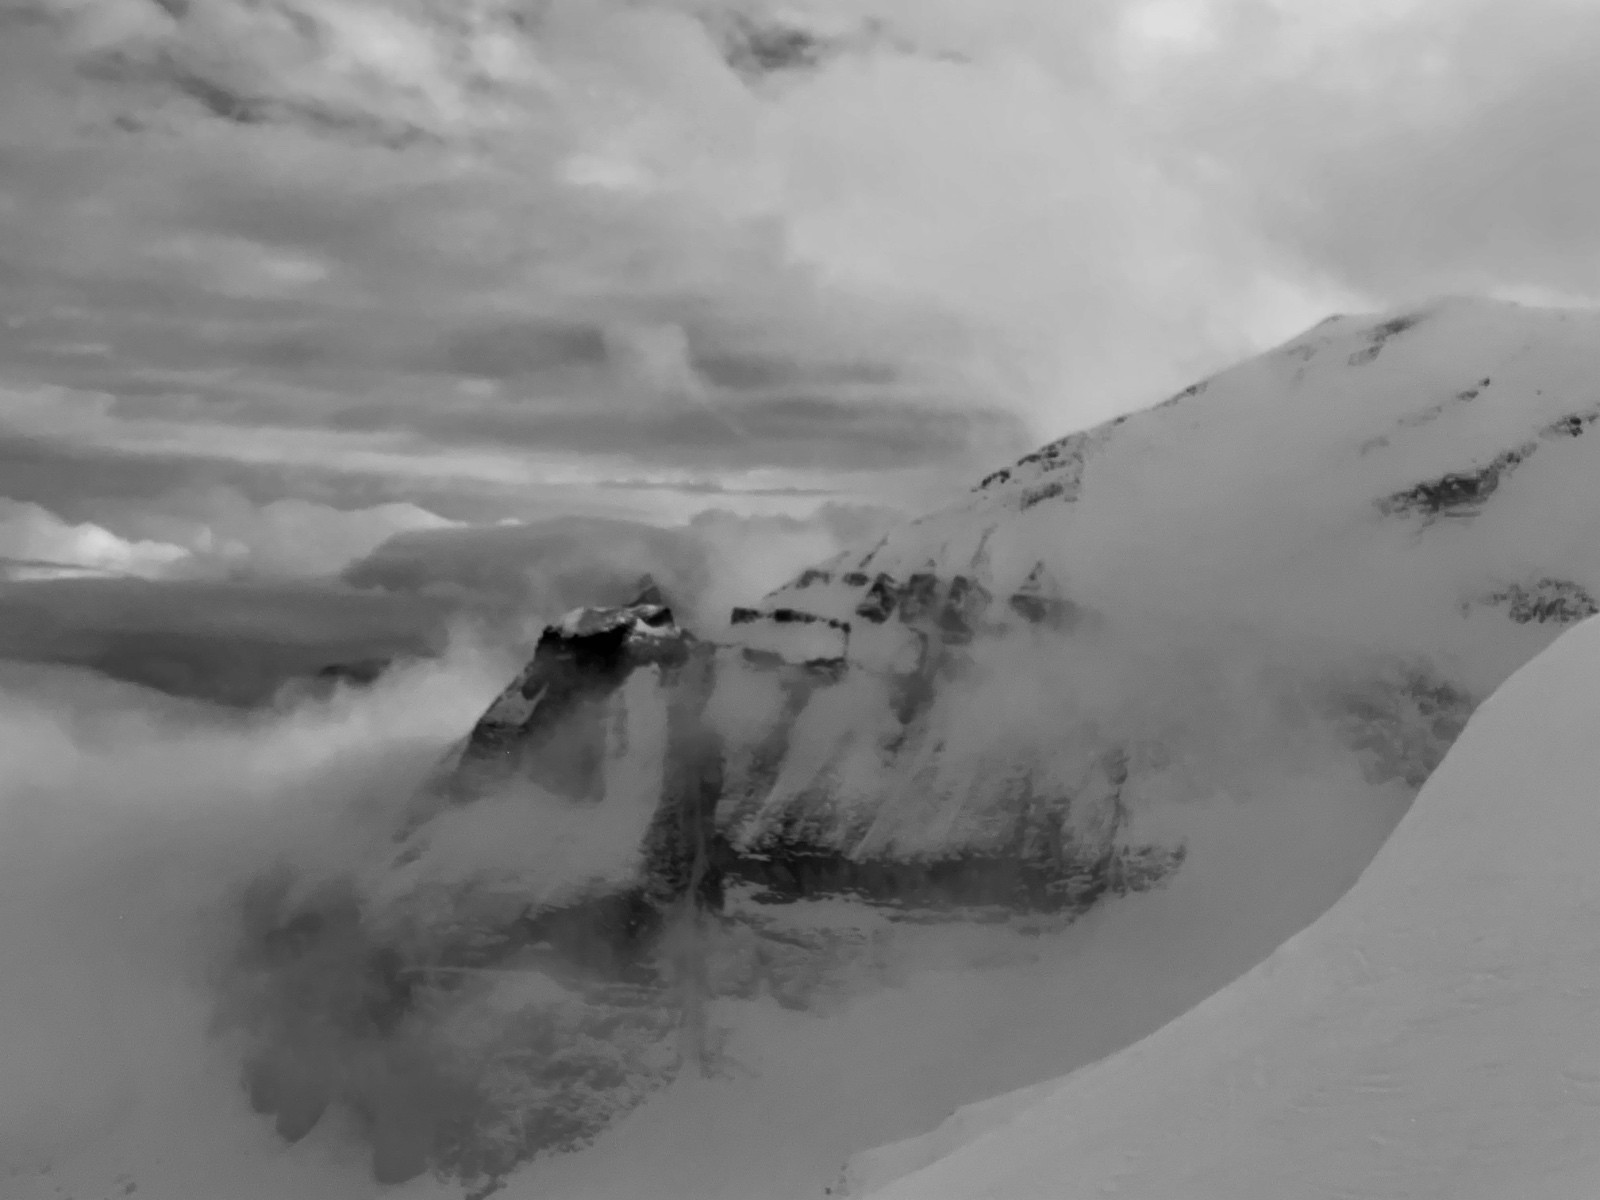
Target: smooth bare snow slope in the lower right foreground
1431	1036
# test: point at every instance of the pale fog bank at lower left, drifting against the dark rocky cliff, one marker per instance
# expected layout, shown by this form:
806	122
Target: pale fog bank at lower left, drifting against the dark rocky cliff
132	823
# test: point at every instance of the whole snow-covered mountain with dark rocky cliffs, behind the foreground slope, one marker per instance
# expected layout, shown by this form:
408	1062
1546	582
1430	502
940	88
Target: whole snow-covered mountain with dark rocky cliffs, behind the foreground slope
1154	694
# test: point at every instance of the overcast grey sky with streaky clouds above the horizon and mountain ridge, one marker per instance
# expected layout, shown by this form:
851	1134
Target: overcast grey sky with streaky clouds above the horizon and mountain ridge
279	278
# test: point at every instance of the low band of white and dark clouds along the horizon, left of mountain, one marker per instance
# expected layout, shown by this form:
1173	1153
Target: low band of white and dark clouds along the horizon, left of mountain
207	593
